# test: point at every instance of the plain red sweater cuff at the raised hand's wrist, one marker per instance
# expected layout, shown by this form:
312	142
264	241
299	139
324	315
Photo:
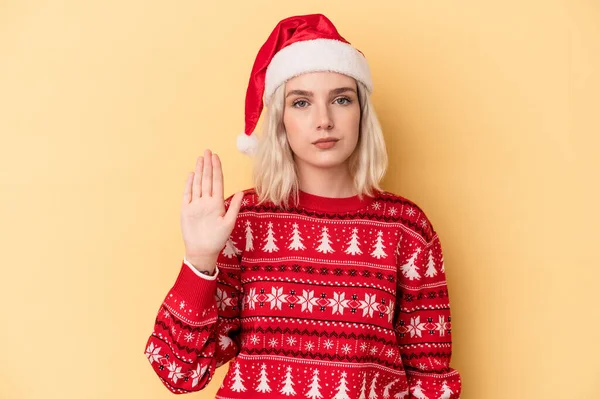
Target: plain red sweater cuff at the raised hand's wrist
198	291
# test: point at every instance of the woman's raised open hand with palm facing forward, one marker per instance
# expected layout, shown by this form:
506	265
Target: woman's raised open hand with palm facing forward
205	225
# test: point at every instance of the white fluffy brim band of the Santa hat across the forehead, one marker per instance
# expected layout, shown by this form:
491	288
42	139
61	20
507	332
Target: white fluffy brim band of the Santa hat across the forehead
315	56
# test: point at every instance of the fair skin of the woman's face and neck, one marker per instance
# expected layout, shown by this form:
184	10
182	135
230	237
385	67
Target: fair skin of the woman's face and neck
322	105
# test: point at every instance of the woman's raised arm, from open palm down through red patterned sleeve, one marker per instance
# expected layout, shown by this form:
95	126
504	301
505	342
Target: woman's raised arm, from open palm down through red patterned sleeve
197	326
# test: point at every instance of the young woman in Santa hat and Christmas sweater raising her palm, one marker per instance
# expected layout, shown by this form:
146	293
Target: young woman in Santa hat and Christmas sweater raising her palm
315	283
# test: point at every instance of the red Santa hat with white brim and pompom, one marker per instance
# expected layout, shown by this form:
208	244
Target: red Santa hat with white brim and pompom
297	45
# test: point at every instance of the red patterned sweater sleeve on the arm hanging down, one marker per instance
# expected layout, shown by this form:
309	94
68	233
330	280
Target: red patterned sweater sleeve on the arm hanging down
423	315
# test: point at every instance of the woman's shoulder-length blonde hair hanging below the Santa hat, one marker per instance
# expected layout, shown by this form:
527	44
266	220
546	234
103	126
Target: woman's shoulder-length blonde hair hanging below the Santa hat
275	175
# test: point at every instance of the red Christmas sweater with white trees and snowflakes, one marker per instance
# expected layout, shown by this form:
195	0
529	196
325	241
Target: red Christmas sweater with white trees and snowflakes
335	298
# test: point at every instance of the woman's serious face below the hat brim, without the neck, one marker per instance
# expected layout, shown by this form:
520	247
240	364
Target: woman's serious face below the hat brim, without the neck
321	106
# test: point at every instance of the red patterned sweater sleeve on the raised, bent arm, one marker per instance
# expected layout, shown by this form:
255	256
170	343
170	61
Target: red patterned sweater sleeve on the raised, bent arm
197	326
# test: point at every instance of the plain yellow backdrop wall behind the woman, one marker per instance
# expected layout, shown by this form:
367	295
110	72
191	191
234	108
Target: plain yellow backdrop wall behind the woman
490	114
